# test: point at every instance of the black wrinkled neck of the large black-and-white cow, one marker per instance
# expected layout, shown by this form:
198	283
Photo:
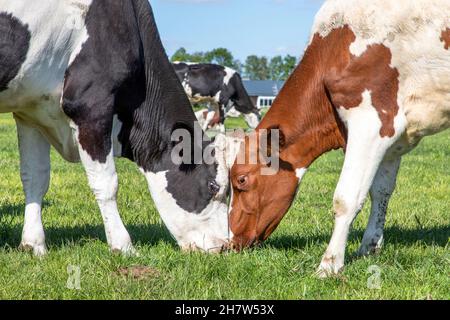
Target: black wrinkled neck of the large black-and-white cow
155	98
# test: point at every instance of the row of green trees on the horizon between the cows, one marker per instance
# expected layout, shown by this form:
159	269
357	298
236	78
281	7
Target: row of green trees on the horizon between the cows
255	67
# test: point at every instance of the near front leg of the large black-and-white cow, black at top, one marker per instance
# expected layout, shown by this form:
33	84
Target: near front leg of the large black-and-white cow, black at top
96	153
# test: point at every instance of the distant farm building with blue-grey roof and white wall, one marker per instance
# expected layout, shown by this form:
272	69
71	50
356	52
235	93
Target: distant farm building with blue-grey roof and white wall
263	92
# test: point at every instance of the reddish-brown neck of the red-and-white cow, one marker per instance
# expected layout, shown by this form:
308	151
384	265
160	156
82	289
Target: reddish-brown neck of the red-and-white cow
303	110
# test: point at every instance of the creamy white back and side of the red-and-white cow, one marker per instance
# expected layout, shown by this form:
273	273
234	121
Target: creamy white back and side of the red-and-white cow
415	34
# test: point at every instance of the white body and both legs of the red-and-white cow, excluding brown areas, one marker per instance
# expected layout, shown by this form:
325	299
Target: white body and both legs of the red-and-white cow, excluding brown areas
412	32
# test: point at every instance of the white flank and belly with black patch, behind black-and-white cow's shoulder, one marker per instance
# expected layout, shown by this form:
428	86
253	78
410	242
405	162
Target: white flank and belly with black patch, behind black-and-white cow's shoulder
39	39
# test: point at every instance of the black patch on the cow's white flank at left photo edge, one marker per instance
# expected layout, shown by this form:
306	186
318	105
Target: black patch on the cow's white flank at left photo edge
14	44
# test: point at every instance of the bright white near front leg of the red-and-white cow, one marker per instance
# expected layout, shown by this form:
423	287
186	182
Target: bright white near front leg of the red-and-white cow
366	149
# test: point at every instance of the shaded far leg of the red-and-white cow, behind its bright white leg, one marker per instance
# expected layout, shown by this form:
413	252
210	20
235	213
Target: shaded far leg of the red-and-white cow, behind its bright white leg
380	194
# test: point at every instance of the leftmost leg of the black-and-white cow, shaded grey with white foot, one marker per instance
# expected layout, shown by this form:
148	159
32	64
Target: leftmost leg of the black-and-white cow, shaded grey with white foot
35	174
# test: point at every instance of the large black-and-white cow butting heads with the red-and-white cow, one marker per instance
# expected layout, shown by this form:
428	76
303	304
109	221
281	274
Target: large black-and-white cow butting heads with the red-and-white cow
91	78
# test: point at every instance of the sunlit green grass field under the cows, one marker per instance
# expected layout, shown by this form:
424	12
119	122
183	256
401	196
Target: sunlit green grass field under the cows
413	265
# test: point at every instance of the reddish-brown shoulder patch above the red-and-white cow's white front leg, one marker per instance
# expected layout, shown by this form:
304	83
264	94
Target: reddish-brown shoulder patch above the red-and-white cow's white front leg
370	71
